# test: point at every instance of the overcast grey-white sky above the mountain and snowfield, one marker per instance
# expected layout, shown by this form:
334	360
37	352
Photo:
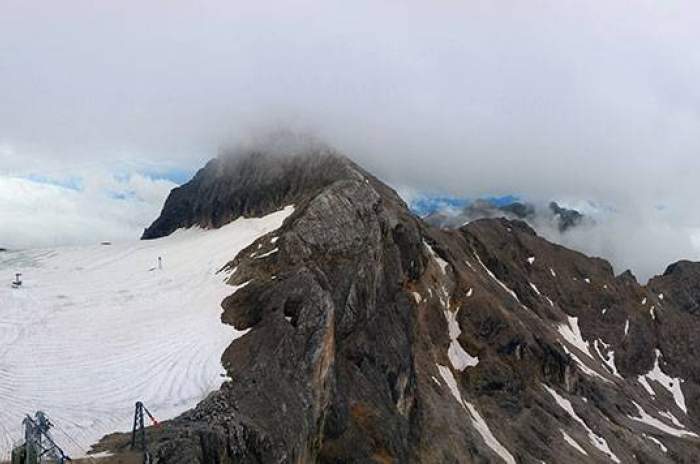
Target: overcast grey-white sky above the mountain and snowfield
105	106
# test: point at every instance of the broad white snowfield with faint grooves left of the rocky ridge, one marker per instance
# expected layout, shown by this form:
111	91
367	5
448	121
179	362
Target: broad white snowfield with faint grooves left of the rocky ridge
94	329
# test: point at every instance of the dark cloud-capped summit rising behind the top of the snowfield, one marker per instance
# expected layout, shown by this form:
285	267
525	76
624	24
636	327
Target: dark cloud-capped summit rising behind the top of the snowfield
250	183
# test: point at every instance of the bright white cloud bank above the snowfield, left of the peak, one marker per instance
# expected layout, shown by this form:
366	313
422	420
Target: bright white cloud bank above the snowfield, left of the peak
40	214
